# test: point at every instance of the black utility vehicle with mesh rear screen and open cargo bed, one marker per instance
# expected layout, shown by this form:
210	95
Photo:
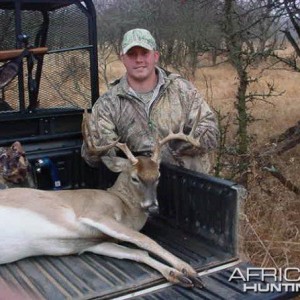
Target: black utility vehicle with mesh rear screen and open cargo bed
57	79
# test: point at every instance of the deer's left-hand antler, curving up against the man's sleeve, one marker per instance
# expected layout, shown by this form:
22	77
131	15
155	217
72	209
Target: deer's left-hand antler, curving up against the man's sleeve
88	136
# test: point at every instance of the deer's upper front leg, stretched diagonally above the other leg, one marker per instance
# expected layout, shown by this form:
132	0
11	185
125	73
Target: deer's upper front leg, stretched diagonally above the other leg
120	232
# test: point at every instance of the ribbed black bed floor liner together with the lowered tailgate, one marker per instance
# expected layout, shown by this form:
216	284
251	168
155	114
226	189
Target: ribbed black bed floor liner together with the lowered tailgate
91	276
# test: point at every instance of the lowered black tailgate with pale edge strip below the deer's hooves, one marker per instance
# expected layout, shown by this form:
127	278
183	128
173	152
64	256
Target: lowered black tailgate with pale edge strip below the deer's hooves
218	286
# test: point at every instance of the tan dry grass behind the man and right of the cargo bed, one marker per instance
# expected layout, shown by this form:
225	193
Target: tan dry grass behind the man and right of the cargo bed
270	222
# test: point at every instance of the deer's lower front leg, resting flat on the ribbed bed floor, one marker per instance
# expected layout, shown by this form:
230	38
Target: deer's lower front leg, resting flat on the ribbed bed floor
122	252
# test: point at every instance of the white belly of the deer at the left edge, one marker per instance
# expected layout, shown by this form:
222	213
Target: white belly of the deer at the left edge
24	233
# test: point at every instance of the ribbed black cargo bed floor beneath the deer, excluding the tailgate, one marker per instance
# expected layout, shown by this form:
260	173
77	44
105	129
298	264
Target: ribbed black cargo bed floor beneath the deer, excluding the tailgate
90	276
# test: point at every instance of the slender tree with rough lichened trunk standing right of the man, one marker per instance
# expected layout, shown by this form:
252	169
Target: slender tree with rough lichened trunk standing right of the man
241	23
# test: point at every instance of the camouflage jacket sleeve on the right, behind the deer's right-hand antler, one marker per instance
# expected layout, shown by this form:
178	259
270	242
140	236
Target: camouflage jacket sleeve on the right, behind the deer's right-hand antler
207	127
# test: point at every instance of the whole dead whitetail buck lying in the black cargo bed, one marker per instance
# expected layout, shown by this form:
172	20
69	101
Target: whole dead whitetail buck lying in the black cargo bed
35	222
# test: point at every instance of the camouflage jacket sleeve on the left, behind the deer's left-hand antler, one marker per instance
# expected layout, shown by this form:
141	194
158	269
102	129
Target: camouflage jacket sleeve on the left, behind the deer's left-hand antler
103	130
